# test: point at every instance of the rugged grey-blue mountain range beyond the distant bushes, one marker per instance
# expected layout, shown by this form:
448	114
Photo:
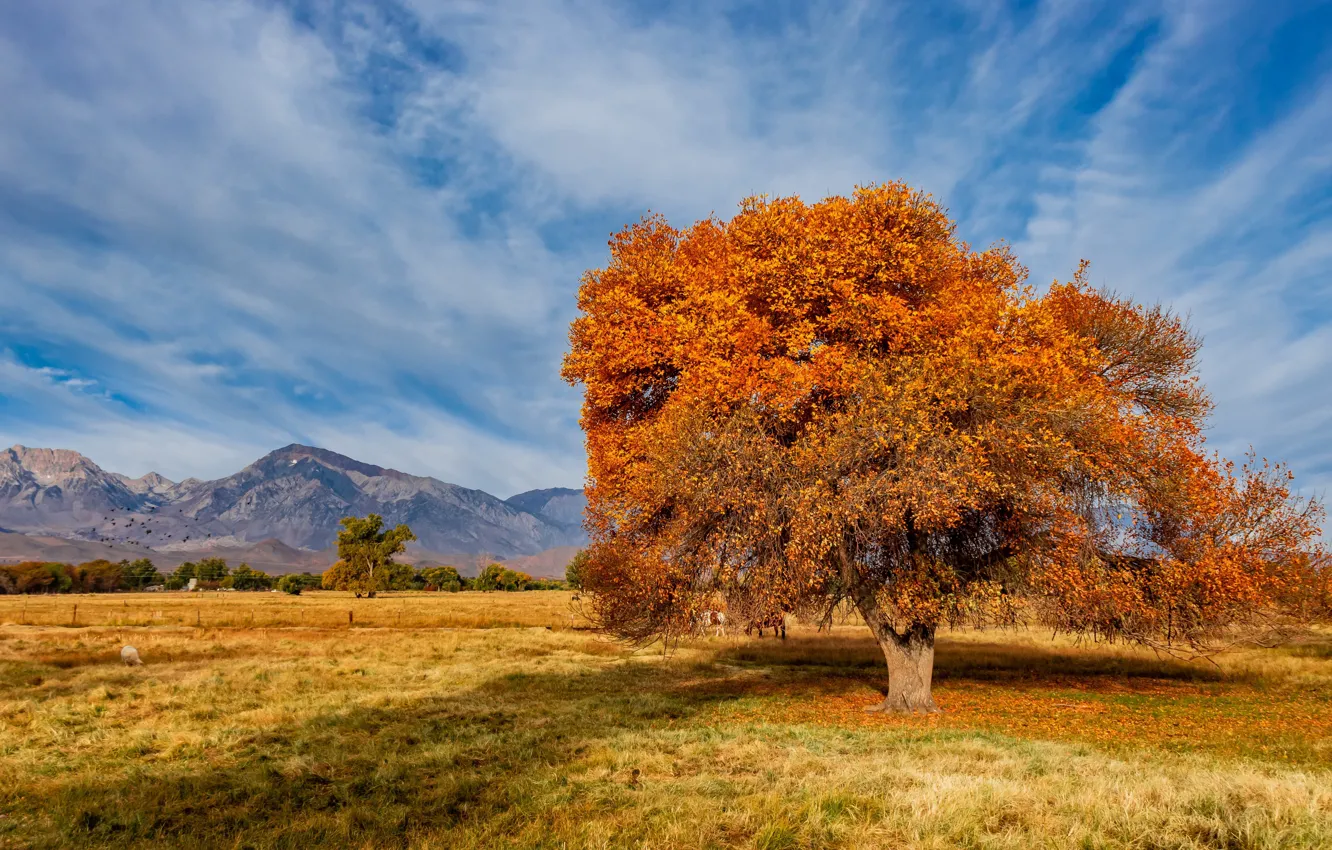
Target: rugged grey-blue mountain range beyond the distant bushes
291	499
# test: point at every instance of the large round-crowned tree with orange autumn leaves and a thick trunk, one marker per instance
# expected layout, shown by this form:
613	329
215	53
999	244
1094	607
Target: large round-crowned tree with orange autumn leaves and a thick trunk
842	402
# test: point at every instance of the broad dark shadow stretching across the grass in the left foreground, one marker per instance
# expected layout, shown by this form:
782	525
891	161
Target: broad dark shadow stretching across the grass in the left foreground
490	761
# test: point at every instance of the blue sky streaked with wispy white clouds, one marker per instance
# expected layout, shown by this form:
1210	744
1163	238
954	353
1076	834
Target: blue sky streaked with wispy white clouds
230	226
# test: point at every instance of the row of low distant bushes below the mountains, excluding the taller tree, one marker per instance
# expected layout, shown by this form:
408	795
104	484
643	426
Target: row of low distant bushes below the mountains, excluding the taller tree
105	576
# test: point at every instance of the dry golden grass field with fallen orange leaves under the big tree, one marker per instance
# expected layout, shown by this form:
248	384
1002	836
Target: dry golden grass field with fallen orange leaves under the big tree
492	721
